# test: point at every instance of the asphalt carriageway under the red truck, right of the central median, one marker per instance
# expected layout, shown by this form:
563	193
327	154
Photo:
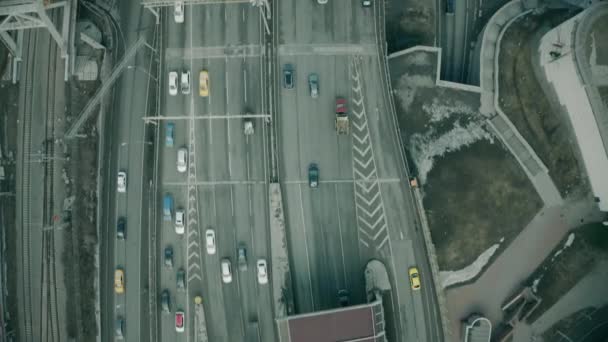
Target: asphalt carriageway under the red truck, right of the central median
363	208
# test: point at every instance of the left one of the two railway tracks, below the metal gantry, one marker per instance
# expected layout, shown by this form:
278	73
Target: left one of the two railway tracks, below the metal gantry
24	187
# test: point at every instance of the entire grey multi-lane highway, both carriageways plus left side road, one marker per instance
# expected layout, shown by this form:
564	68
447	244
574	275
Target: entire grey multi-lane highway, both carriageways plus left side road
362	209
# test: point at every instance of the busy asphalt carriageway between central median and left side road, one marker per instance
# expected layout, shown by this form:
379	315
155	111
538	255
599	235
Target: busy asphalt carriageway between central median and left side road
225	185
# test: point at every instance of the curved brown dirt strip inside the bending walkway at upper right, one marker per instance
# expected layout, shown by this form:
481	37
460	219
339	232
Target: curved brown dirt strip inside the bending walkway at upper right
544	126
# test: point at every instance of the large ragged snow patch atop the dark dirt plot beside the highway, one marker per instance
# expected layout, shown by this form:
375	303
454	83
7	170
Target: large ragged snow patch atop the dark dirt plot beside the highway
426	147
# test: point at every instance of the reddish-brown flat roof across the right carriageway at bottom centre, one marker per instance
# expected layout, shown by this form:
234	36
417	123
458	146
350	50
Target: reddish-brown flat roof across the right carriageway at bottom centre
362	323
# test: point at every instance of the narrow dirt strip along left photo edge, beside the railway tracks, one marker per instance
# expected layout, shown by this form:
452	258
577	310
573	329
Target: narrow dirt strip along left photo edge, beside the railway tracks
9	95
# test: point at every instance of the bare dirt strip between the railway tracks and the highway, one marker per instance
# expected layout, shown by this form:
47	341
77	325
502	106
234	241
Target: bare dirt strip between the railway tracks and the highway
81	236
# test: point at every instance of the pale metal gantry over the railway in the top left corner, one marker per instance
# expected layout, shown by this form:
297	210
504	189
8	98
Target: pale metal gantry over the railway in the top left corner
19	15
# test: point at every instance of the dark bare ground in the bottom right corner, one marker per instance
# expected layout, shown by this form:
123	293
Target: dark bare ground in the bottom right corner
588	325
